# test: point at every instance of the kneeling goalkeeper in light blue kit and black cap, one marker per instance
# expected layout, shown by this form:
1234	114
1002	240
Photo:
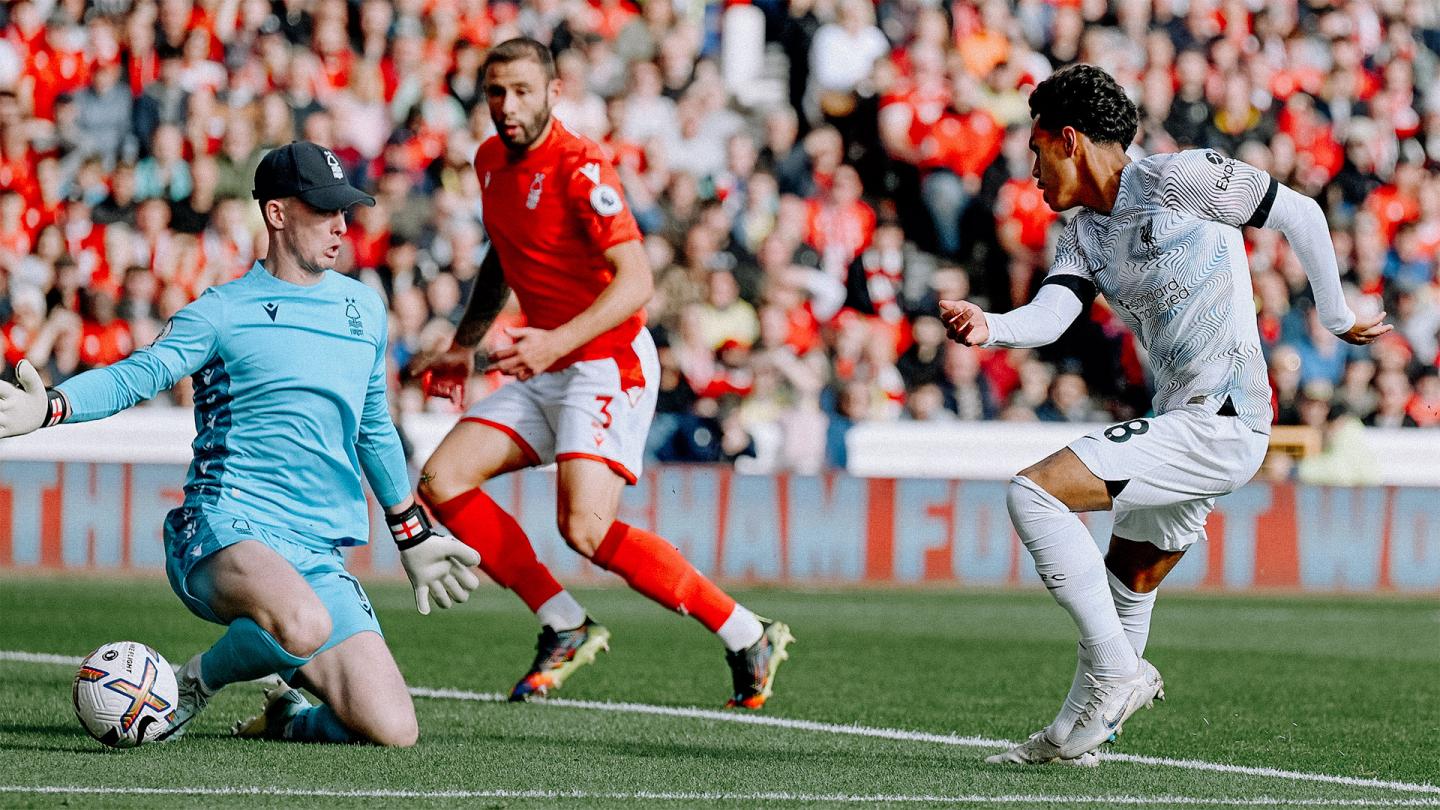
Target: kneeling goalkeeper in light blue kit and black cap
290	409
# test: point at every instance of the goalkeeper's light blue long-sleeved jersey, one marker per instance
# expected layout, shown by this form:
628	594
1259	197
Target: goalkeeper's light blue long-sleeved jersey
290	401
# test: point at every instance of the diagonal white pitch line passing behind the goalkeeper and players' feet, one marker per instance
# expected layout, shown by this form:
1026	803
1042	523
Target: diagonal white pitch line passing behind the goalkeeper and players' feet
850	730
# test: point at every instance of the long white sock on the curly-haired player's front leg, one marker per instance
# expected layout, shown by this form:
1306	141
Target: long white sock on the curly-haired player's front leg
1074	570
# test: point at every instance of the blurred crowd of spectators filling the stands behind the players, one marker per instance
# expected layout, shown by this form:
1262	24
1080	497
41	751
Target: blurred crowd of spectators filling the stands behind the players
806	201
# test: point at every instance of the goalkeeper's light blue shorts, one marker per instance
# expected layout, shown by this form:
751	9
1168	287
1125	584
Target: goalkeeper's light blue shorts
194	534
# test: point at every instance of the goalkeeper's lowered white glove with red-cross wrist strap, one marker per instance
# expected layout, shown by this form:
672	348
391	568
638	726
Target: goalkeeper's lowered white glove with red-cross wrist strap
437	564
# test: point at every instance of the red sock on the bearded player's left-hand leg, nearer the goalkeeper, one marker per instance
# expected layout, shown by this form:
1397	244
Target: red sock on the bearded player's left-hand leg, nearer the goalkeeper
505	550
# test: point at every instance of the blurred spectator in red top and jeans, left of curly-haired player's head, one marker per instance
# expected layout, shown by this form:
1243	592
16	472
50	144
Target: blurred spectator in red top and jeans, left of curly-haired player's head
954	155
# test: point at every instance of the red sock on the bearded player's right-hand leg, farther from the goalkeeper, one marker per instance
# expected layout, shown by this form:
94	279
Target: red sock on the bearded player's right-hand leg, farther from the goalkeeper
656	569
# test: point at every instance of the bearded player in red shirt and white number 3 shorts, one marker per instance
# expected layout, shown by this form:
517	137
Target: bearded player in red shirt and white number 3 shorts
587	375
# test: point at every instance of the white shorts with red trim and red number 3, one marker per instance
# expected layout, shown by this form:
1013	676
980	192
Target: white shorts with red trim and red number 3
597	410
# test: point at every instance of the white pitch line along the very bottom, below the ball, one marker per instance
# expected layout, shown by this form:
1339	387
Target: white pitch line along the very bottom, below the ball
716	796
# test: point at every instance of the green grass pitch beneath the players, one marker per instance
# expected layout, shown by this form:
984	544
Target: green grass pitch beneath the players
1331	687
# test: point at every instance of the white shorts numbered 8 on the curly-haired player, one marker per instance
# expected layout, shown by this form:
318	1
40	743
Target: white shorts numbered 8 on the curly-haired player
1174	466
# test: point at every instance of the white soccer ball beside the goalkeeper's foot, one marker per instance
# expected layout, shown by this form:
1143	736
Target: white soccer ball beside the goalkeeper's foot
126	694
